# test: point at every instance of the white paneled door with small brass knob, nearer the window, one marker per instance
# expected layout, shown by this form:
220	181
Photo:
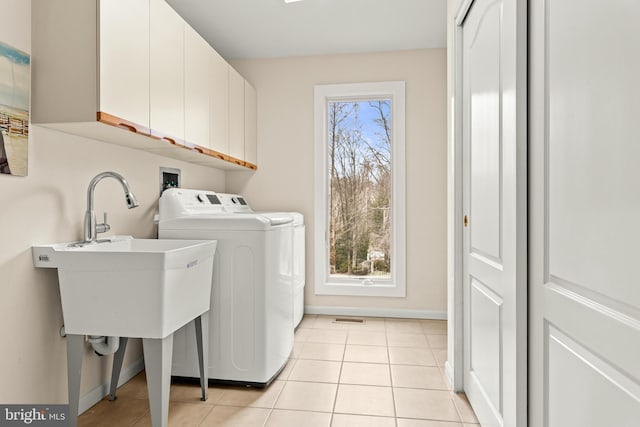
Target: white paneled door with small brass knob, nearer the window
494	189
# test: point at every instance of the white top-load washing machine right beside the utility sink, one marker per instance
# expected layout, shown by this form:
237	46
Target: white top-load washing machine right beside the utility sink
251	318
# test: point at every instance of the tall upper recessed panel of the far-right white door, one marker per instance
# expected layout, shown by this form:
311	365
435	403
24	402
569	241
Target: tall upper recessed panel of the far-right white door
593	109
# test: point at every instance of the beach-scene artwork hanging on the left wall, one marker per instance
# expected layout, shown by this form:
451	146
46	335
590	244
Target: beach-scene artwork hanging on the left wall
15	86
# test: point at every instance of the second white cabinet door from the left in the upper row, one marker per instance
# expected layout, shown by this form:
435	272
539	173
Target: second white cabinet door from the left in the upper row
166	70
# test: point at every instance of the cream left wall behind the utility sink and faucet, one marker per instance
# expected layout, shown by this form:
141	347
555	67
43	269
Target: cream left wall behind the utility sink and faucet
48	206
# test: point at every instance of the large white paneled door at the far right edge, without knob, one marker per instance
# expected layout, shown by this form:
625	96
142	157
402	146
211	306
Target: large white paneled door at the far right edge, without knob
584	299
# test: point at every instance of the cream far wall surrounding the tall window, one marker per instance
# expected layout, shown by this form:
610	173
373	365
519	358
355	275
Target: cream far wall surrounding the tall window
284	180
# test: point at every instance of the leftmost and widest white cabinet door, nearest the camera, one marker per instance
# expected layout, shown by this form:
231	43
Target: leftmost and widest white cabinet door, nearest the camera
124	60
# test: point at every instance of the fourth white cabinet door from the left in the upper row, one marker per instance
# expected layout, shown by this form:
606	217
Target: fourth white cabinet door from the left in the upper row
219	104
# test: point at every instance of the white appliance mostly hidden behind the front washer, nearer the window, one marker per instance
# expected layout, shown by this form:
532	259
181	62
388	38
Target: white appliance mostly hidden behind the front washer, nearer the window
238	204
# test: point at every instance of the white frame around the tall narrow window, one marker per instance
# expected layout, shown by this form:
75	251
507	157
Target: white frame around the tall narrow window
396	286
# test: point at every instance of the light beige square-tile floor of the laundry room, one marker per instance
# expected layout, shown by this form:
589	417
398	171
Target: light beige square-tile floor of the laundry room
383	373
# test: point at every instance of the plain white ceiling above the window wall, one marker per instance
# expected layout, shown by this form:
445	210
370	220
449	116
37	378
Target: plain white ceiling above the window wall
240	29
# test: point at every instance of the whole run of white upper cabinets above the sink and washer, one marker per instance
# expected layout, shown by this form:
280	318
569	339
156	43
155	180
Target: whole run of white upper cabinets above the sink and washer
134	73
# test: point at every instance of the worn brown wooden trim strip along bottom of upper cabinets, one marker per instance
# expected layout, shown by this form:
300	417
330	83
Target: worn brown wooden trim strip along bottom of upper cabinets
117	122
